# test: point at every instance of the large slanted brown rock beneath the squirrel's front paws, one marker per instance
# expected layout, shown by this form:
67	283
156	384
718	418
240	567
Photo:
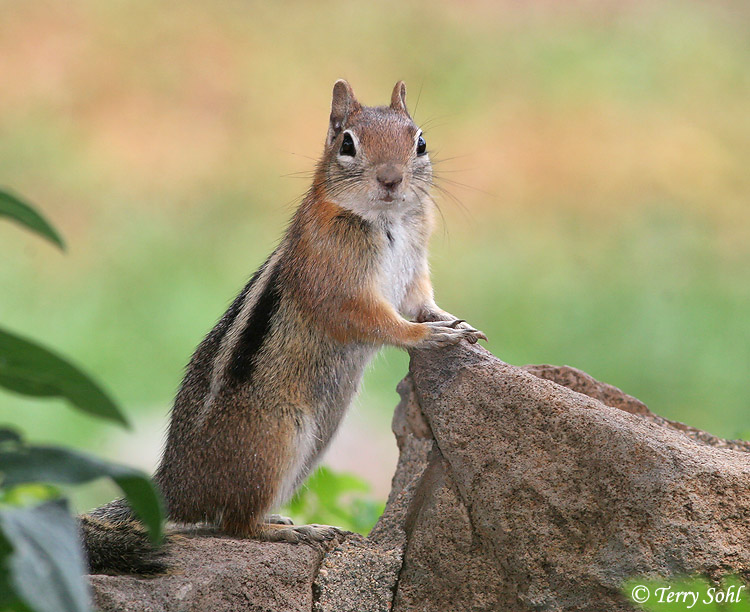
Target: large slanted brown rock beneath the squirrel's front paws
560	496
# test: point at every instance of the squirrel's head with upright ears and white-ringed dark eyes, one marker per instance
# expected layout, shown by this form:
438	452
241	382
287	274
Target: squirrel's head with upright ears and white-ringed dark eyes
375	159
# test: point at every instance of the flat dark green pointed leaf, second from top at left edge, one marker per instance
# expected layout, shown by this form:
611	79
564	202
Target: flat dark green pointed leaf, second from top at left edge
30	369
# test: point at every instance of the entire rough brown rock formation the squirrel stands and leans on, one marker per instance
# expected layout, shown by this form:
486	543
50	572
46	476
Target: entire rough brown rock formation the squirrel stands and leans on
535	488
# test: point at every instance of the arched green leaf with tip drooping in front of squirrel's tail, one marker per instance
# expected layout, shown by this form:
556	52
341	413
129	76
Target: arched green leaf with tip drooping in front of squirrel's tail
64	466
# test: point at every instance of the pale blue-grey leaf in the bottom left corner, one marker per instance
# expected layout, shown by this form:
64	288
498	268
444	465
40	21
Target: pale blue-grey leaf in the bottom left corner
46	566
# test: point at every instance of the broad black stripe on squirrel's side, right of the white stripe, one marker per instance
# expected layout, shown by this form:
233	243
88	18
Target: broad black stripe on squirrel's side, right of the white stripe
242	361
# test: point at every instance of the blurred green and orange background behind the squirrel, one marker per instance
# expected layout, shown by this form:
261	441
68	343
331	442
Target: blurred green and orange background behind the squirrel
597	154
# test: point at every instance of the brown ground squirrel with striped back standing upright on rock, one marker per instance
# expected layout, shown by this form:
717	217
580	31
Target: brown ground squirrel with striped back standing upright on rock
265	391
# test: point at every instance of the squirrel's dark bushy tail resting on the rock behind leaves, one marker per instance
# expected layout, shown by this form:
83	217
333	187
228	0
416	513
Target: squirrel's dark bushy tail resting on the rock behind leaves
117	543
